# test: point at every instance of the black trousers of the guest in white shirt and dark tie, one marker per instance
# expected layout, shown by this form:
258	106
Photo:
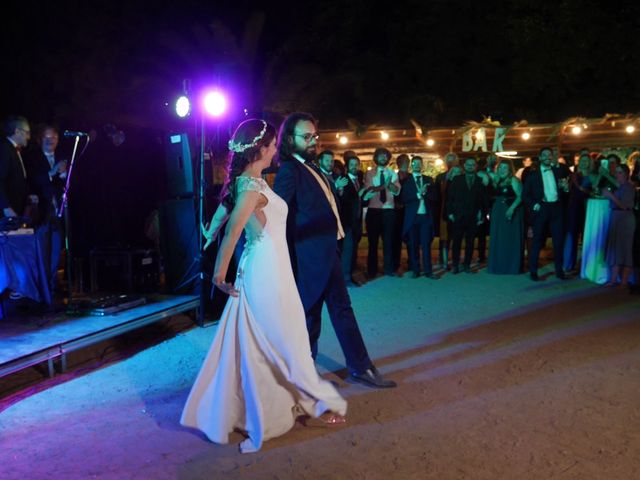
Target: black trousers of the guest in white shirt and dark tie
380	222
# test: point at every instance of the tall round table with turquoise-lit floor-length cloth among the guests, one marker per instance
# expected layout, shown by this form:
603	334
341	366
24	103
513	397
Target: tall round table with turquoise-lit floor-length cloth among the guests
594	241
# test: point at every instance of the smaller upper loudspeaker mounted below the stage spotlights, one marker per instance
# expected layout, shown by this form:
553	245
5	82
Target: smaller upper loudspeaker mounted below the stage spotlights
178	166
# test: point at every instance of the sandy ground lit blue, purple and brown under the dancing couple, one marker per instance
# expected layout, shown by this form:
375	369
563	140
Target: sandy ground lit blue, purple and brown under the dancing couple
499	378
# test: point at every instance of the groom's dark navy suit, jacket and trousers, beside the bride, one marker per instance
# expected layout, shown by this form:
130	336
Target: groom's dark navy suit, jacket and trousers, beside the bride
313	246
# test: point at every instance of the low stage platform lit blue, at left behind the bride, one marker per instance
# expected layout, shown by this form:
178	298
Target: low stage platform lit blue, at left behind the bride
28	341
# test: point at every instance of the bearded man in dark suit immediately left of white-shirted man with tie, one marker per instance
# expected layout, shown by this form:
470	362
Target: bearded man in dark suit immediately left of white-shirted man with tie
351	218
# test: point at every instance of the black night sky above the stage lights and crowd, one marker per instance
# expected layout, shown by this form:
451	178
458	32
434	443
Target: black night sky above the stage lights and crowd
439	62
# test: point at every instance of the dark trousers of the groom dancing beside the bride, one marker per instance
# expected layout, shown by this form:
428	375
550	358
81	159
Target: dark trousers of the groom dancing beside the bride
342	318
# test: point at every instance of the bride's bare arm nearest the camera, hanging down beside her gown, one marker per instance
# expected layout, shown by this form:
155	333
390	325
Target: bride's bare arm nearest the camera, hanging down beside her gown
247	202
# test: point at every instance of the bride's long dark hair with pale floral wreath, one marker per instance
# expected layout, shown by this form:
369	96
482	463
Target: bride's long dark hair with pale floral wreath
247	134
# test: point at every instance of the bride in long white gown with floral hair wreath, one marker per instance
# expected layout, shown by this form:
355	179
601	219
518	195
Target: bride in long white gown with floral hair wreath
259	374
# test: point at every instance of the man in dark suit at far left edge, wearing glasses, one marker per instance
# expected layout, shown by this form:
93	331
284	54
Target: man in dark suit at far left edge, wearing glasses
13	174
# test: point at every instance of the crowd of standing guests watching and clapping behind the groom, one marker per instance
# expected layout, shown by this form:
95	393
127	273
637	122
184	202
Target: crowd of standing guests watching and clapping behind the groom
474	200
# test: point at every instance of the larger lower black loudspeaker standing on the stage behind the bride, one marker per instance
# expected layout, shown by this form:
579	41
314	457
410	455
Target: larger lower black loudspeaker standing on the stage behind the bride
179	245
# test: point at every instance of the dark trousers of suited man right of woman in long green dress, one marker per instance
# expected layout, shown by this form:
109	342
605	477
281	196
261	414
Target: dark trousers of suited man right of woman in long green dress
550	215
